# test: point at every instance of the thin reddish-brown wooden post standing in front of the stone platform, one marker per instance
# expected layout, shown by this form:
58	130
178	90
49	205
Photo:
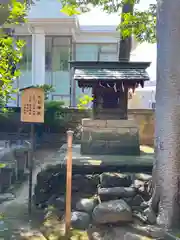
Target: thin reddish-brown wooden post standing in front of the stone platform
68	182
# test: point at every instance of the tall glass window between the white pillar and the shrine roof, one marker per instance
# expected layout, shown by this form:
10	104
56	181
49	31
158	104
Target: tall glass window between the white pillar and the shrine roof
58	55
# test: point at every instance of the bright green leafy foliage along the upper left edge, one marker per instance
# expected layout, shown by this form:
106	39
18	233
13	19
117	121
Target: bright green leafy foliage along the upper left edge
10	47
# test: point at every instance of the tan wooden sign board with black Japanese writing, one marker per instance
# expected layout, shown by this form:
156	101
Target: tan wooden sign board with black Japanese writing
32	105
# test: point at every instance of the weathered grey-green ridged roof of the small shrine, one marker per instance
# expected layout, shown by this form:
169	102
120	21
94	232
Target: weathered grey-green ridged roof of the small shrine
111	71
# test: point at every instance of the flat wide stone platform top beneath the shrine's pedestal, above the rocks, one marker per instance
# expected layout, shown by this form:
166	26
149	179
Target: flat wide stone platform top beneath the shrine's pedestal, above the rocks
101	162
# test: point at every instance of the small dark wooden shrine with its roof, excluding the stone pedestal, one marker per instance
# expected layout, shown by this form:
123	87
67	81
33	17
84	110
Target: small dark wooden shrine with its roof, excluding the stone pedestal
110	83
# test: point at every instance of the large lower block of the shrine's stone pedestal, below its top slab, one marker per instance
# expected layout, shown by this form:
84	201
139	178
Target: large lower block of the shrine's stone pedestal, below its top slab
110	141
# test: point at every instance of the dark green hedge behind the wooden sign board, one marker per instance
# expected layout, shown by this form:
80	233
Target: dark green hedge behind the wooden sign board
57	119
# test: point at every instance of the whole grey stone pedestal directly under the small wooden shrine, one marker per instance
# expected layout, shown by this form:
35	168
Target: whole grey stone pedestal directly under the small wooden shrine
110	137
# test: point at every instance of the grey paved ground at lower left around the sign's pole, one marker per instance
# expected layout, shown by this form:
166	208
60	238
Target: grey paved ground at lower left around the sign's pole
15	212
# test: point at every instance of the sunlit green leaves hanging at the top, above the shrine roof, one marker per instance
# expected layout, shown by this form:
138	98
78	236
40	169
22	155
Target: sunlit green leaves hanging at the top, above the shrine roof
142	23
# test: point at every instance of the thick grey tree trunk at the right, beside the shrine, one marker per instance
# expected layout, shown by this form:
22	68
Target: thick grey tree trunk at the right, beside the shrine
167	128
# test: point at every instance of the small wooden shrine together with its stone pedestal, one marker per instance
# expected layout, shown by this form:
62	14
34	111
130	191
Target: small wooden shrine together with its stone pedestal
110	131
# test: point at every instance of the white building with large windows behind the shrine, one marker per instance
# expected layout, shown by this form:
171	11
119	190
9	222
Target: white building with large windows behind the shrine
53	39
